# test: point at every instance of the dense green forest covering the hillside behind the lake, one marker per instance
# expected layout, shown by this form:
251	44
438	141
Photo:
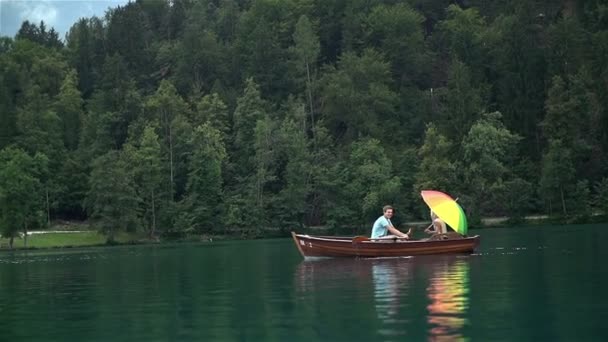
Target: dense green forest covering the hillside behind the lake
219	116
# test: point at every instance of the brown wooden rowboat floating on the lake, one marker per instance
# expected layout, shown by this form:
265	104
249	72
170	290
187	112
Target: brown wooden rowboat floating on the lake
337	246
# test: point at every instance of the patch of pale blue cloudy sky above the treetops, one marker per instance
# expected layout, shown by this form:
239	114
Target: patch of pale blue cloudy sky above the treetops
59	14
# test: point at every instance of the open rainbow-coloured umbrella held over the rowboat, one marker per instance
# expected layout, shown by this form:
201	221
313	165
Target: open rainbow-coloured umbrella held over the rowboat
446	209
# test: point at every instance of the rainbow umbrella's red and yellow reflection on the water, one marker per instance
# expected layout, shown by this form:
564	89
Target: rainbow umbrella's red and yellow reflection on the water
448	292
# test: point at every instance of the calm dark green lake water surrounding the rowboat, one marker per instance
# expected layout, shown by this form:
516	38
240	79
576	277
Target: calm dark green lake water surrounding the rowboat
522	284
